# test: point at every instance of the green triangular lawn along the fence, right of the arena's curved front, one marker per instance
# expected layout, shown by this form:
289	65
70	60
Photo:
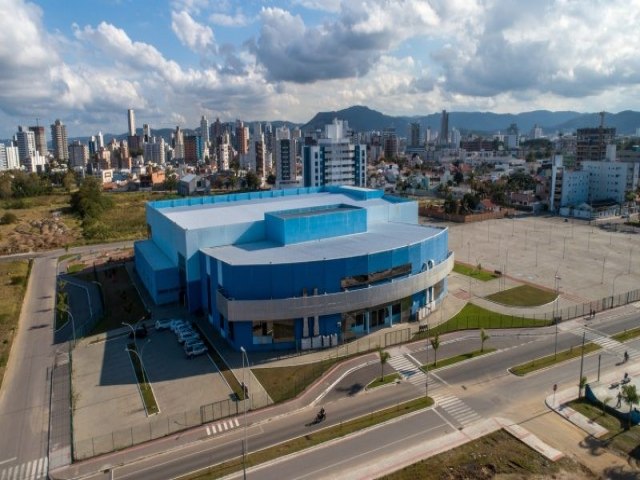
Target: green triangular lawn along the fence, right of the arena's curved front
475	317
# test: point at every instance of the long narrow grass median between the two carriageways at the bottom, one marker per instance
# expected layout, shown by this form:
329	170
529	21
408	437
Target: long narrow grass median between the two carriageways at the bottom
312	439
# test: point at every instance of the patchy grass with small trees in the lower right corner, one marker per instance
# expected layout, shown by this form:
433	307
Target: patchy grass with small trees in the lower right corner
619	438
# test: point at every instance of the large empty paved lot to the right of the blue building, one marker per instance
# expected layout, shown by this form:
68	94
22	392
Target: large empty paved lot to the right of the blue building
591	263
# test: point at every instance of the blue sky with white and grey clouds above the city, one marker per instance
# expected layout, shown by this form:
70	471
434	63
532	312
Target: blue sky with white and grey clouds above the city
86	62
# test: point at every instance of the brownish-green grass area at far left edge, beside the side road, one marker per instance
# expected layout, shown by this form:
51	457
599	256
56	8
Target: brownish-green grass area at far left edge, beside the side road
14	277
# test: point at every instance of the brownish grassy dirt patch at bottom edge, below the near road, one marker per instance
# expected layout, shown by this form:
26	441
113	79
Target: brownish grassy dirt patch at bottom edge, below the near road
495	456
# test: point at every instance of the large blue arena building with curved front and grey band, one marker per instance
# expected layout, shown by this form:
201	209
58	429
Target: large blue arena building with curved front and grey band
296	268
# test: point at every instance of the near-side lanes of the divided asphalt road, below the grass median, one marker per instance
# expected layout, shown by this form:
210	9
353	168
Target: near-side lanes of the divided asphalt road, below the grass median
502	394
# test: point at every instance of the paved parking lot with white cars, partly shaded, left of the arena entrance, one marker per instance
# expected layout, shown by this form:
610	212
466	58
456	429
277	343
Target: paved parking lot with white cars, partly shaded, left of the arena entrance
106	397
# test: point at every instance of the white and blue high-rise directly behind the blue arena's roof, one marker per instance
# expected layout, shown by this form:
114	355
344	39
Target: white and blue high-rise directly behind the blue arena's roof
334	160
